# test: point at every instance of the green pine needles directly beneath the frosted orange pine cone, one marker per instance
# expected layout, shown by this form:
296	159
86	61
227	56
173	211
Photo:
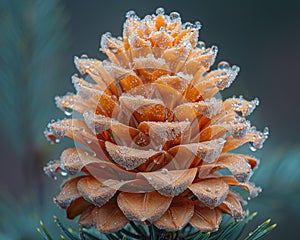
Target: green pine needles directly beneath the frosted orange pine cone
230	231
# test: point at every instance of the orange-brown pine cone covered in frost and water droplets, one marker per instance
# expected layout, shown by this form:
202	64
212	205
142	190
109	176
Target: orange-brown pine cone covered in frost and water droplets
152	135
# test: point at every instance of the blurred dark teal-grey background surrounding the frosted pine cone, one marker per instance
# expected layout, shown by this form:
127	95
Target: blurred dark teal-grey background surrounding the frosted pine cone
38	40
